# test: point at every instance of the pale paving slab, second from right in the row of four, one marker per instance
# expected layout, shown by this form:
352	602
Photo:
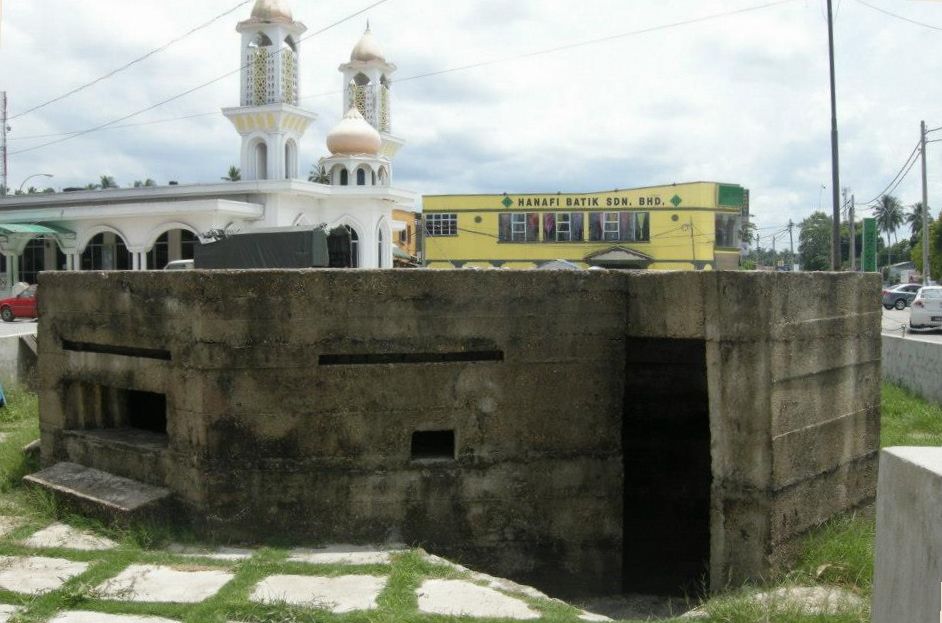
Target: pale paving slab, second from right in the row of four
339	595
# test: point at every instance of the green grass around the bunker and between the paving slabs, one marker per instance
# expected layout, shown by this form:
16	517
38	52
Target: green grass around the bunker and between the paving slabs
837	554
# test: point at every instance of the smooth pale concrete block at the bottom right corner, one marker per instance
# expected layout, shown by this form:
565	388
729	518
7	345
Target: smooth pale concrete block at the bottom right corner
908	565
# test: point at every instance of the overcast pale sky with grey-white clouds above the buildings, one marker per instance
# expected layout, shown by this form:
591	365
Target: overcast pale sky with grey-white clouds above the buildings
741	99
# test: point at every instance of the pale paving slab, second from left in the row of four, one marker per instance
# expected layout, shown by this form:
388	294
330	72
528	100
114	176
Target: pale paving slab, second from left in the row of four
156	583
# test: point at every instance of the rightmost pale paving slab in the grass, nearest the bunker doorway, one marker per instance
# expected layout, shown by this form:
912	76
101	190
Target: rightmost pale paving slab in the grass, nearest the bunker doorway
460	598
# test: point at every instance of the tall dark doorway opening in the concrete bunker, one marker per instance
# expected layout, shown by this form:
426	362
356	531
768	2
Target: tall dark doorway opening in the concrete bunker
666	449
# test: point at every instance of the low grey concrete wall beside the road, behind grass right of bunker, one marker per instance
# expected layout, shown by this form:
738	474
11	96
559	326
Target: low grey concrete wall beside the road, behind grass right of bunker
915	364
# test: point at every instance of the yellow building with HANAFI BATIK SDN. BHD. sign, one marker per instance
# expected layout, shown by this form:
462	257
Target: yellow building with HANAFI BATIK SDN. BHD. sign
683	226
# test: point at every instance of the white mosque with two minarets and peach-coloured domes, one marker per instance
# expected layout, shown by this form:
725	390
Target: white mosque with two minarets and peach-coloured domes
144	228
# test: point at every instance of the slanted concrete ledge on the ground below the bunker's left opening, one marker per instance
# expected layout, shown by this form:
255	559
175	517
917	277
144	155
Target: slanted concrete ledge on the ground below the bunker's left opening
96	490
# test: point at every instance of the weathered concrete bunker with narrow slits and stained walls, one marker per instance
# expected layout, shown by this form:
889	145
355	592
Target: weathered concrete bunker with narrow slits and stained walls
292	398
